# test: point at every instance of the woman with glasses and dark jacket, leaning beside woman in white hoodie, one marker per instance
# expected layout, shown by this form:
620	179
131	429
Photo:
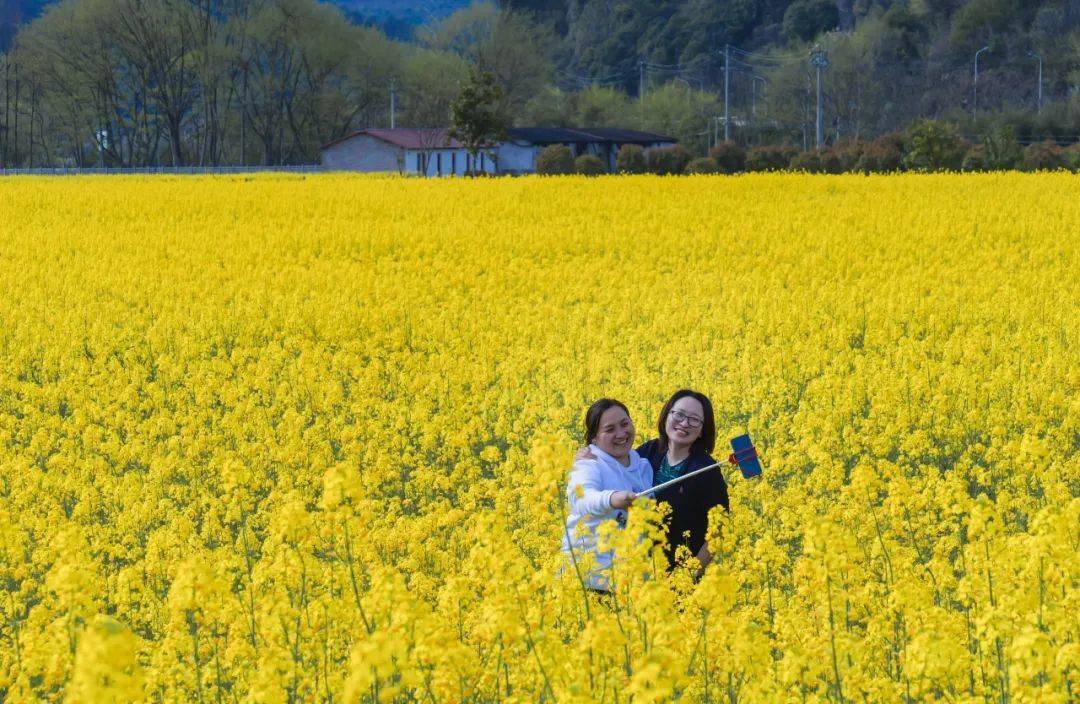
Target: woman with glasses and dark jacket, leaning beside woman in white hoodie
687	436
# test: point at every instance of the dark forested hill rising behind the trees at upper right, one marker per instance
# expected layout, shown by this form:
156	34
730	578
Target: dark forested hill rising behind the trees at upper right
604	35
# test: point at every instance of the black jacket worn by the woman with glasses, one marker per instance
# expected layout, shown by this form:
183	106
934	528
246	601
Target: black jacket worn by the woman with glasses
691	500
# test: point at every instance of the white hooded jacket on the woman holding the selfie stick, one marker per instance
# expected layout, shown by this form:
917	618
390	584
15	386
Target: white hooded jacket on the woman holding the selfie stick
599	480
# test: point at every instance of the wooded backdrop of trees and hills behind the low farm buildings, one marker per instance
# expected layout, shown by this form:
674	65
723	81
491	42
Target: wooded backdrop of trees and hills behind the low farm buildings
228	82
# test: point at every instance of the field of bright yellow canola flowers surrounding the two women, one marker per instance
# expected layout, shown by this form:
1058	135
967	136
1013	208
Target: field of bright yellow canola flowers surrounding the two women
283	439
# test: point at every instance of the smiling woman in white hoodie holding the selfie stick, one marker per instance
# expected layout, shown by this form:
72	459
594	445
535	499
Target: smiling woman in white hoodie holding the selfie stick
603	489
